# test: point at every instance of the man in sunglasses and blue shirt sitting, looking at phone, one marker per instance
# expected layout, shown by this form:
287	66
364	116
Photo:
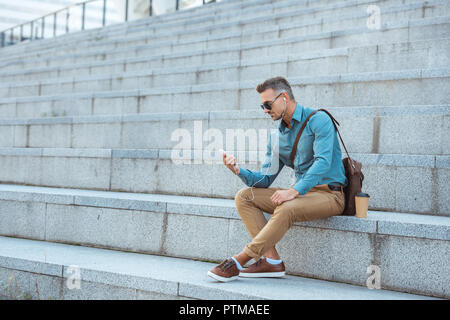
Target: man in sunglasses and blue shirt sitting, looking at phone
317	194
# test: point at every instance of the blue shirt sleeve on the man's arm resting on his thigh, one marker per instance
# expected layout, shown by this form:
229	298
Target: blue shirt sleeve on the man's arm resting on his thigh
323	129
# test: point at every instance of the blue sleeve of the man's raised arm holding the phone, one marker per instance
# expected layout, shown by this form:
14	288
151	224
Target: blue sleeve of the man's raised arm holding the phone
270	169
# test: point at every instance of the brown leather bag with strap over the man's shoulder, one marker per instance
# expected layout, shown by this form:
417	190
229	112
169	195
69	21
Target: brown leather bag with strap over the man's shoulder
352	168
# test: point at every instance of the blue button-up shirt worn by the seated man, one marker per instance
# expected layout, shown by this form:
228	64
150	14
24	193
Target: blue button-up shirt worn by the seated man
318	159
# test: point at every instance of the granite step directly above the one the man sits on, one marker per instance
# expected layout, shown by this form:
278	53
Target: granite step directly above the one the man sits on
392	180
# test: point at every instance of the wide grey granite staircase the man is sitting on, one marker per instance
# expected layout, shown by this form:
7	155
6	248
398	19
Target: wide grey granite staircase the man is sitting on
87	142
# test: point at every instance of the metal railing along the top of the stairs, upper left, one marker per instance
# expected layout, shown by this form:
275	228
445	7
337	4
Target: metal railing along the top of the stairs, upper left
76	18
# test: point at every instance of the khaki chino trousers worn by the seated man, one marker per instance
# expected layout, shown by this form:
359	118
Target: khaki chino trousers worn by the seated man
319	203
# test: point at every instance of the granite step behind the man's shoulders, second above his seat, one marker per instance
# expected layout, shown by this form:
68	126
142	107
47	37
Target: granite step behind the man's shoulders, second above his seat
413	130
